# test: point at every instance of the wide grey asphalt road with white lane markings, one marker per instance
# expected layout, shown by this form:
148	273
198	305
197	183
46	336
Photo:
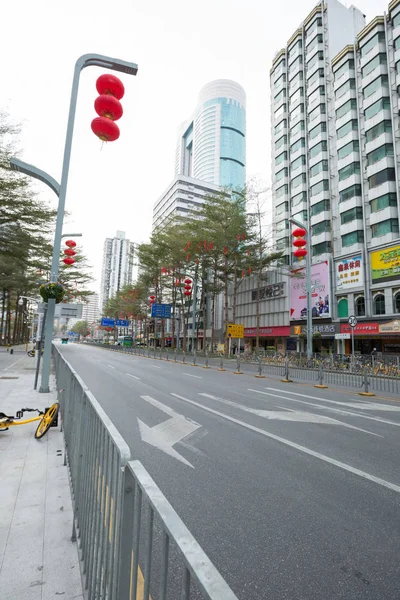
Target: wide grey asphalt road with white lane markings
293	492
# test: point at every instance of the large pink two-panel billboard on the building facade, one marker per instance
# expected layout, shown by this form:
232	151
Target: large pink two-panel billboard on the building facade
321	305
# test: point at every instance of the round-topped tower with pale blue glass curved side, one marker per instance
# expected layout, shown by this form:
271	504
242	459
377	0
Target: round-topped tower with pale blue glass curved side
212	143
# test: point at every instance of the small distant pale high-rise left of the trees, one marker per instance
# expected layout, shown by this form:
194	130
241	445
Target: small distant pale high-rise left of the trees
117	268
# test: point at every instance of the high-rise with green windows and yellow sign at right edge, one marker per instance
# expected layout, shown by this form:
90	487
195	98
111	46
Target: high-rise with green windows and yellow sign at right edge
365	215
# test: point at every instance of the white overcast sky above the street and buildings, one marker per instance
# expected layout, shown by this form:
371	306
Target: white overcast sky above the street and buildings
179	46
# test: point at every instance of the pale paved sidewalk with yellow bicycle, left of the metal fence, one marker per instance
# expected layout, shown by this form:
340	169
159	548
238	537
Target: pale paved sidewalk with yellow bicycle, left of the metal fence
38	561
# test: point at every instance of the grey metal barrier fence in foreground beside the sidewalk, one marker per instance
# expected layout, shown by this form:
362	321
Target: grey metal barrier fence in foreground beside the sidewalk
120	513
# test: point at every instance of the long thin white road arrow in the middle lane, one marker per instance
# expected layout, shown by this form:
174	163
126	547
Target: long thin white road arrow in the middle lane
291	415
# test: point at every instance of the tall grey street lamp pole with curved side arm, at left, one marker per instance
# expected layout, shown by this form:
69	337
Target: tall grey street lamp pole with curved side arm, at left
87	60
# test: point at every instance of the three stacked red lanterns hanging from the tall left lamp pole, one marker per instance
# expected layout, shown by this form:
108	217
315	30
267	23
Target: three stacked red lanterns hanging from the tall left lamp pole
108	107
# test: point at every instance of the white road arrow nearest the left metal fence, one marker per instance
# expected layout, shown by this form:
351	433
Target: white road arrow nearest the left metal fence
170	432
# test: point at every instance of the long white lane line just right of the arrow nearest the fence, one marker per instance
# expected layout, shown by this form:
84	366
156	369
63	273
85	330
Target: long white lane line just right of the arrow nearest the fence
277	438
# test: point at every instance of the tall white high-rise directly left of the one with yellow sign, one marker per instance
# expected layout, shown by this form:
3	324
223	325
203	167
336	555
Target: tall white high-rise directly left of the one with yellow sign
303	126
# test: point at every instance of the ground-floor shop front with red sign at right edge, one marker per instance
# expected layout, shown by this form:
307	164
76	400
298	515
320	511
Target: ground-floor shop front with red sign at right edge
373	336
